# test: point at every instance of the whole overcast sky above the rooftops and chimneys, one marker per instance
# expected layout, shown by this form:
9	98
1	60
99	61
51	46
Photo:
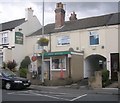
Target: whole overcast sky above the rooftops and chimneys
15	9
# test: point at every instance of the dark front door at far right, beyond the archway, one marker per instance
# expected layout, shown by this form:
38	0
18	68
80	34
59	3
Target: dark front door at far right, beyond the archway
114	65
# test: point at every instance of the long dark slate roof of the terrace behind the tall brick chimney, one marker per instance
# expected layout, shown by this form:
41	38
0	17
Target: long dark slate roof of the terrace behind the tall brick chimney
104	20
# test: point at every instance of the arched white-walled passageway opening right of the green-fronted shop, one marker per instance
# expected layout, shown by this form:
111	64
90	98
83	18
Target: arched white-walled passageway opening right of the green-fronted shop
93	63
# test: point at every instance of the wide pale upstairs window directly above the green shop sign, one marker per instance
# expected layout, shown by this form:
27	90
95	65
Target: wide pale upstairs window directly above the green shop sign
63	40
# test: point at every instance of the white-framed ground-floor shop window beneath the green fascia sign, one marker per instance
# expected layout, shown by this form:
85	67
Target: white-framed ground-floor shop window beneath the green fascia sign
58	63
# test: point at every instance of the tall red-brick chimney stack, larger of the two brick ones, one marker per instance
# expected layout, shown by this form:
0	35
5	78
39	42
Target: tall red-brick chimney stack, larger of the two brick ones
59	15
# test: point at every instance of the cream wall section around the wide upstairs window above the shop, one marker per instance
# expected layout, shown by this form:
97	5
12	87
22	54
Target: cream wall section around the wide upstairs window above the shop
74	41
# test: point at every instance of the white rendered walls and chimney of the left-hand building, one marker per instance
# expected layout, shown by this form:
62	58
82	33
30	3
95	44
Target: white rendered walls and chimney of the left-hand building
18	53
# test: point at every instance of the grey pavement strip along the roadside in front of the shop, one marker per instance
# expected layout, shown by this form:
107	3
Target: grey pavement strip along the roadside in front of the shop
111	91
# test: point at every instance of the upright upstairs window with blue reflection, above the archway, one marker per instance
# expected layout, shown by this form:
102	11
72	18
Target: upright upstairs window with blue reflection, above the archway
94	38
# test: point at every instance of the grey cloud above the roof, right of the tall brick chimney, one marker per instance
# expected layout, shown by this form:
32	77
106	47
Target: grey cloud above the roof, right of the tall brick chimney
88	9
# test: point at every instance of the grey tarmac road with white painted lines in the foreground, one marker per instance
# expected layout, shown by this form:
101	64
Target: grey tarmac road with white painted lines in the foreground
61	94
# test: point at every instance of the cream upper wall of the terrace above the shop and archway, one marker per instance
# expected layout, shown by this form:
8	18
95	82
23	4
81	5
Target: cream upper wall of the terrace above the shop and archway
108	37
